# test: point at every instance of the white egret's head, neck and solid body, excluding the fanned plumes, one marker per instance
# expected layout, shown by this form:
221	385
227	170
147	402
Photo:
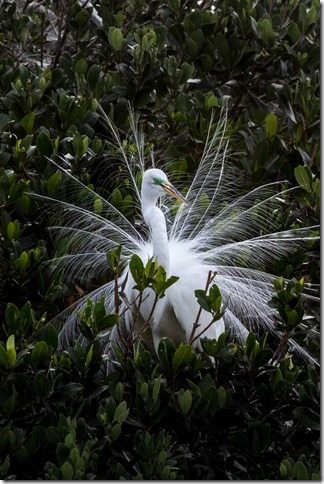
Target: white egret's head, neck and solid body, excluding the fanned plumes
174	315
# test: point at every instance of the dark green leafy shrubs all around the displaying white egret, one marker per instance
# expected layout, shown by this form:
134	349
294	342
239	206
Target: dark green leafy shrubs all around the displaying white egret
62	64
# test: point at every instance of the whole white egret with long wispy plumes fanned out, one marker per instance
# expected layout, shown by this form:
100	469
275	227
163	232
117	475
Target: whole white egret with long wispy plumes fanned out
213	229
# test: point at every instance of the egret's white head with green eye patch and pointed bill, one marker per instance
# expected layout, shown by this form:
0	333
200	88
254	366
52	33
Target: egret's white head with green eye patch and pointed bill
155	184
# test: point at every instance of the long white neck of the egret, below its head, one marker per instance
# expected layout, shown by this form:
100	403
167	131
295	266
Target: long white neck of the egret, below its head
154	218
